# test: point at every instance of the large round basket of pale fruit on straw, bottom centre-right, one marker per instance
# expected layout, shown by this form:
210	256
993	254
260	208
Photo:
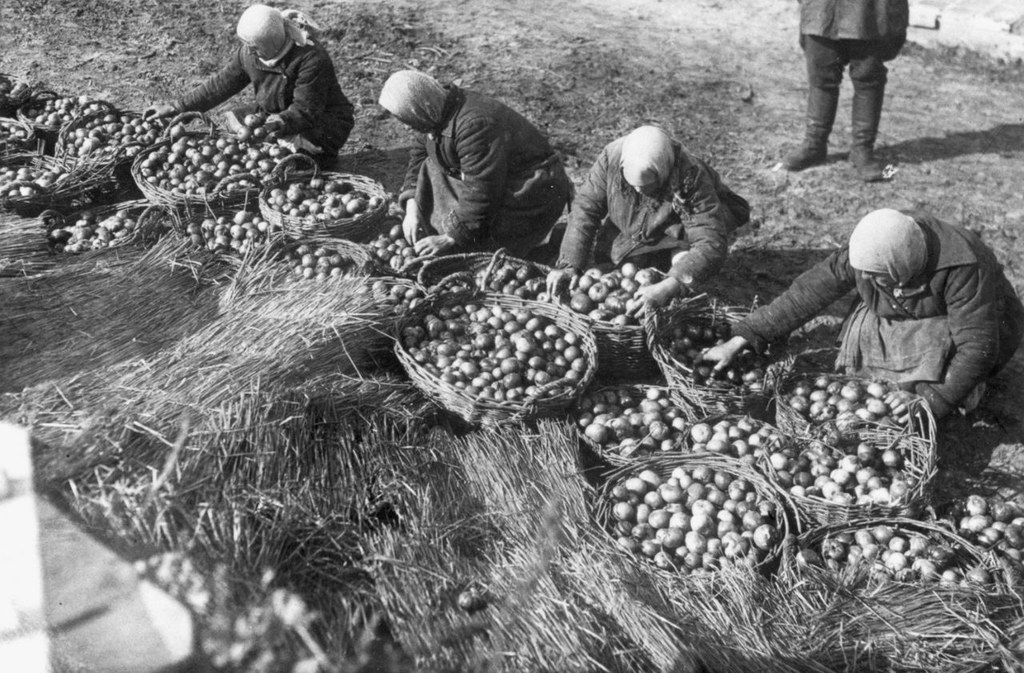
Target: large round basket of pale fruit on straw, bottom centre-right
760	548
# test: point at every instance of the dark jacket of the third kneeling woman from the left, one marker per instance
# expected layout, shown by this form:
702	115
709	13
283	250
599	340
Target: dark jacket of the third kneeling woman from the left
691	215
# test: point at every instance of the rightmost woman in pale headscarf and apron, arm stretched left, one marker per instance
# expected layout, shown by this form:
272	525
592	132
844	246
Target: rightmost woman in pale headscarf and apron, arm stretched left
933	311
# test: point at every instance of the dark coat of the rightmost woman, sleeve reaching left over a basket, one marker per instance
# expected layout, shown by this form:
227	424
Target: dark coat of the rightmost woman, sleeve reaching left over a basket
963	281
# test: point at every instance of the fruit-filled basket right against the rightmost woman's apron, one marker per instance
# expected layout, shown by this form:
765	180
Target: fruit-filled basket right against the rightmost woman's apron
795	417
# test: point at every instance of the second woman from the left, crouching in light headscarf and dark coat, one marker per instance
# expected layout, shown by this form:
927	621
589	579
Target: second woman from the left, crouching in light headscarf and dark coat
481	178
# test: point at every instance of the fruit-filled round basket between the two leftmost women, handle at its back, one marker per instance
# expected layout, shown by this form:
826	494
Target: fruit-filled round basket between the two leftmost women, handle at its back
338	205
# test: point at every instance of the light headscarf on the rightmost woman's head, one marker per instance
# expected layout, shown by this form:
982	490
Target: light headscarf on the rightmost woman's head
888	242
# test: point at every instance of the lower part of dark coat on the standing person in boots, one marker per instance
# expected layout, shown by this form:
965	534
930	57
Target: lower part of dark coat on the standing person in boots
855	20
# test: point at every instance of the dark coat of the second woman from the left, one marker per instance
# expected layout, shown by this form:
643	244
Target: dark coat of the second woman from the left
506	187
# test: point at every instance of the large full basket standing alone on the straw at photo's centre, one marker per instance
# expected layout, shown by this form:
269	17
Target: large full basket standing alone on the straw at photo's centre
495	359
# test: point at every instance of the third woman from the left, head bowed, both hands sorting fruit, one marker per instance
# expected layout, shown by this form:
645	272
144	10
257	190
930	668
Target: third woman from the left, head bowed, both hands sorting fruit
663	207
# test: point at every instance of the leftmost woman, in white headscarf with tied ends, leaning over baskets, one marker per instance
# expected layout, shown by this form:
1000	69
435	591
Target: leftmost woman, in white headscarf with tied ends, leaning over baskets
293	78
